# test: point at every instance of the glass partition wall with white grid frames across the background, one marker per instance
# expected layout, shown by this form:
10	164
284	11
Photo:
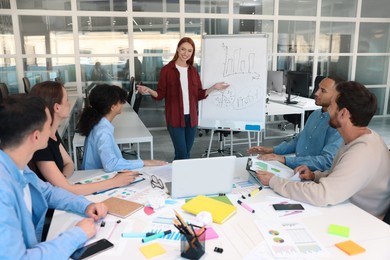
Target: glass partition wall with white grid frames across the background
67	39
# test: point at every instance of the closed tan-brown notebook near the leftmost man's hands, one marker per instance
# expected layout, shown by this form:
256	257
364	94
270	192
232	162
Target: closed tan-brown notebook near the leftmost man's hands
120	207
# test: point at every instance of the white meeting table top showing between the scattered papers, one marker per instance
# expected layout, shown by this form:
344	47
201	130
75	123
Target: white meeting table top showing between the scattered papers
239	236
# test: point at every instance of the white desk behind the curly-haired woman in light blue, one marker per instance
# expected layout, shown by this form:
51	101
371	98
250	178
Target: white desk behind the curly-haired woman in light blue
128	129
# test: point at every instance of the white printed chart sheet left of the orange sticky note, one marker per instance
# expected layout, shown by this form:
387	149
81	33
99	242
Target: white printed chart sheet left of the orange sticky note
290	239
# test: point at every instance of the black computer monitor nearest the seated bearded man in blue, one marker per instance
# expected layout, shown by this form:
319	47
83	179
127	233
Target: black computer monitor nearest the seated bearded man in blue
297	84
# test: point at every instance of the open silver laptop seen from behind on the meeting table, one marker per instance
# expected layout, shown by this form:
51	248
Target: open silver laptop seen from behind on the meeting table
205	176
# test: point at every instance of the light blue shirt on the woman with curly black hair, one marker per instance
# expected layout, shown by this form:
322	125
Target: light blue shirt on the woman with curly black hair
101	150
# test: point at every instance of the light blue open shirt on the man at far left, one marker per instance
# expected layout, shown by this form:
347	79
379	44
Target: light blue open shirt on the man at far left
21	230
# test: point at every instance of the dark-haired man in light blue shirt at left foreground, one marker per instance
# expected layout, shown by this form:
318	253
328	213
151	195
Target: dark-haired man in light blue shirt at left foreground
24	199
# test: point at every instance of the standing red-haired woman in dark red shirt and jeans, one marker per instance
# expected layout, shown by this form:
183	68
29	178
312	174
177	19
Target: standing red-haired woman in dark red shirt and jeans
181	87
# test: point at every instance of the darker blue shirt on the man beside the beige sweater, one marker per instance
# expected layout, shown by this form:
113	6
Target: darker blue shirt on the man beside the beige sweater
315	146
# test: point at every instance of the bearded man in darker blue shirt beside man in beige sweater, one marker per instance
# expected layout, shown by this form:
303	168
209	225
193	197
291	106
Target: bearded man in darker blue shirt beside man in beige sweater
317	144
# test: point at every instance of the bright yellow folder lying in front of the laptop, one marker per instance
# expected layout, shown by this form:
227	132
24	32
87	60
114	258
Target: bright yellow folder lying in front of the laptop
220	211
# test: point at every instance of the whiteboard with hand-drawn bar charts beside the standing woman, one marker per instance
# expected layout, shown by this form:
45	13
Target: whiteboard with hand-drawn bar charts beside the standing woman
241	61
